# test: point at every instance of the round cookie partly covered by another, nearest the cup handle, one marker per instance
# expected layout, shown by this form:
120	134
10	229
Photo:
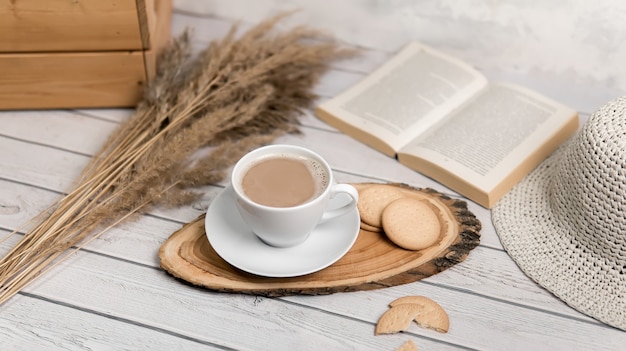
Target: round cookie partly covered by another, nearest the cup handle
373	200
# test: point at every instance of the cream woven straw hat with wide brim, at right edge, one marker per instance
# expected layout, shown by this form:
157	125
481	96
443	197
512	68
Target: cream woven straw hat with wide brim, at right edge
565	223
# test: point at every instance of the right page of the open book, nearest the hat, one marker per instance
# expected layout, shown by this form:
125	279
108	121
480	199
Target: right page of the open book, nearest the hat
491	135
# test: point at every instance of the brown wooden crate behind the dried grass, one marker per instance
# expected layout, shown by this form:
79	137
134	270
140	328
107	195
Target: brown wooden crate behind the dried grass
87	76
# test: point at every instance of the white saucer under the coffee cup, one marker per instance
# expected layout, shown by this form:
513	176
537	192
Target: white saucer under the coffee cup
238	245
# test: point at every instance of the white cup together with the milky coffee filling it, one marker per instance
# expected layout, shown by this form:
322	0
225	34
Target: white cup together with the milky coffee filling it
282	192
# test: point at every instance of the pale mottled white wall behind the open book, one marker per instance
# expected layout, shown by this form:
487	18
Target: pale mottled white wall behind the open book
578	46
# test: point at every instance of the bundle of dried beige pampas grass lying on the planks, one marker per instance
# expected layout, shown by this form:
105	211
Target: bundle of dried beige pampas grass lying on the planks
235	95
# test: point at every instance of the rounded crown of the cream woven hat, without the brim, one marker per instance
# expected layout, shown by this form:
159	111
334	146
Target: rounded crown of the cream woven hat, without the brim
588	189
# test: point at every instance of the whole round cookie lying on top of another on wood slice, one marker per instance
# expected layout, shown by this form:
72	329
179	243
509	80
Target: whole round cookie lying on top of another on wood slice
411	223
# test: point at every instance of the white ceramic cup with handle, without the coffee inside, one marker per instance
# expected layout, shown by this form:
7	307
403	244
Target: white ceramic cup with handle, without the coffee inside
289	226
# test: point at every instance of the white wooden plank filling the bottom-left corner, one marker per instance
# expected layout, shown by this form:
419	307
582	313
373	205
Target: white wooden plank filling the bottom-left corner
26	319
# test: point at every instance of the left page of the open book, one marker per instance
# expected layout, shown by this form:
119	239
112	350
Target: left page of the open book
406	95
